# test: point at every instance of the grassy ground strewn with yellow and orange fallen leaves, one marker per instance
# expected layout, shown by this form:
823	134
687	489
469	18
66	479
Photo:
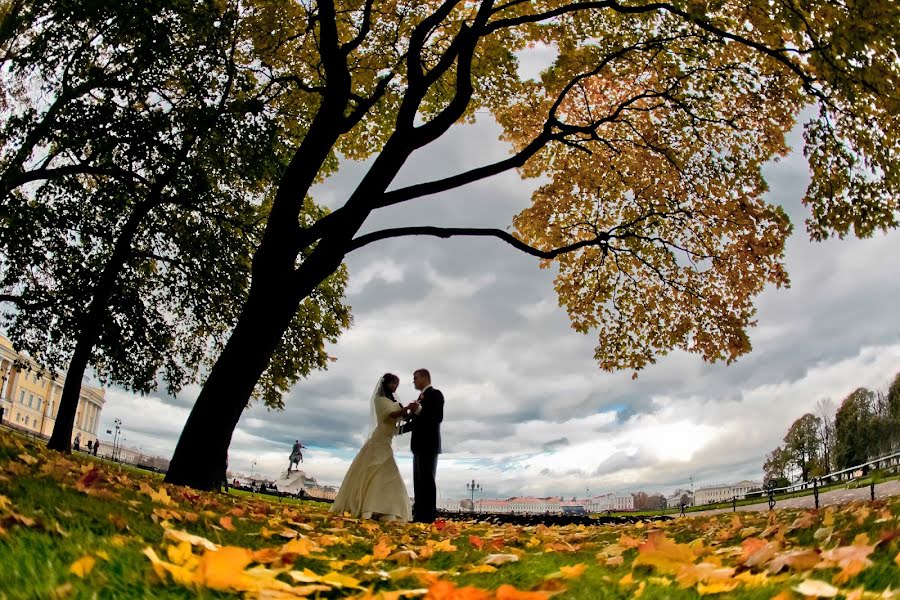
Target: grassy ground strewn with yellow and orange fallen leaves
76	527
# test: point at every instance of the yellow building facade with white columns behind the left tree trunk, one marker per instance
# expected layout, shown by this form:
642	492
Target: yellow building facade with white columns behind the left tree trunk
30	397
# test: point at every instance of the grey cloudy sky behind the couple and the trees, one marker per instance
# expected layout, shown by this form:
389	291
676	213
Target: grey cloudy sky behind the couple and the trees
527	409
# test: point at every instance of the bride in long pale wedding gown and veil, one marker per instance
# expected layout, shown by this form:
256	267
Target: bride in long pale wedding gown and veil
372	487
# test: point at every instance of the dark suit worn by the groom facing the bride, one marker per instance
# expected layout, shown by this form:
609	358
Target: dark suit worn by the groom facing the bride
425	444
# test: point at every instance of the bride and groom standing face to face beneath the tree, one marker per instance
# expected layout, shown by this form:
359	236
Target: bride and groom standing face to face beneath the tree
373	487
